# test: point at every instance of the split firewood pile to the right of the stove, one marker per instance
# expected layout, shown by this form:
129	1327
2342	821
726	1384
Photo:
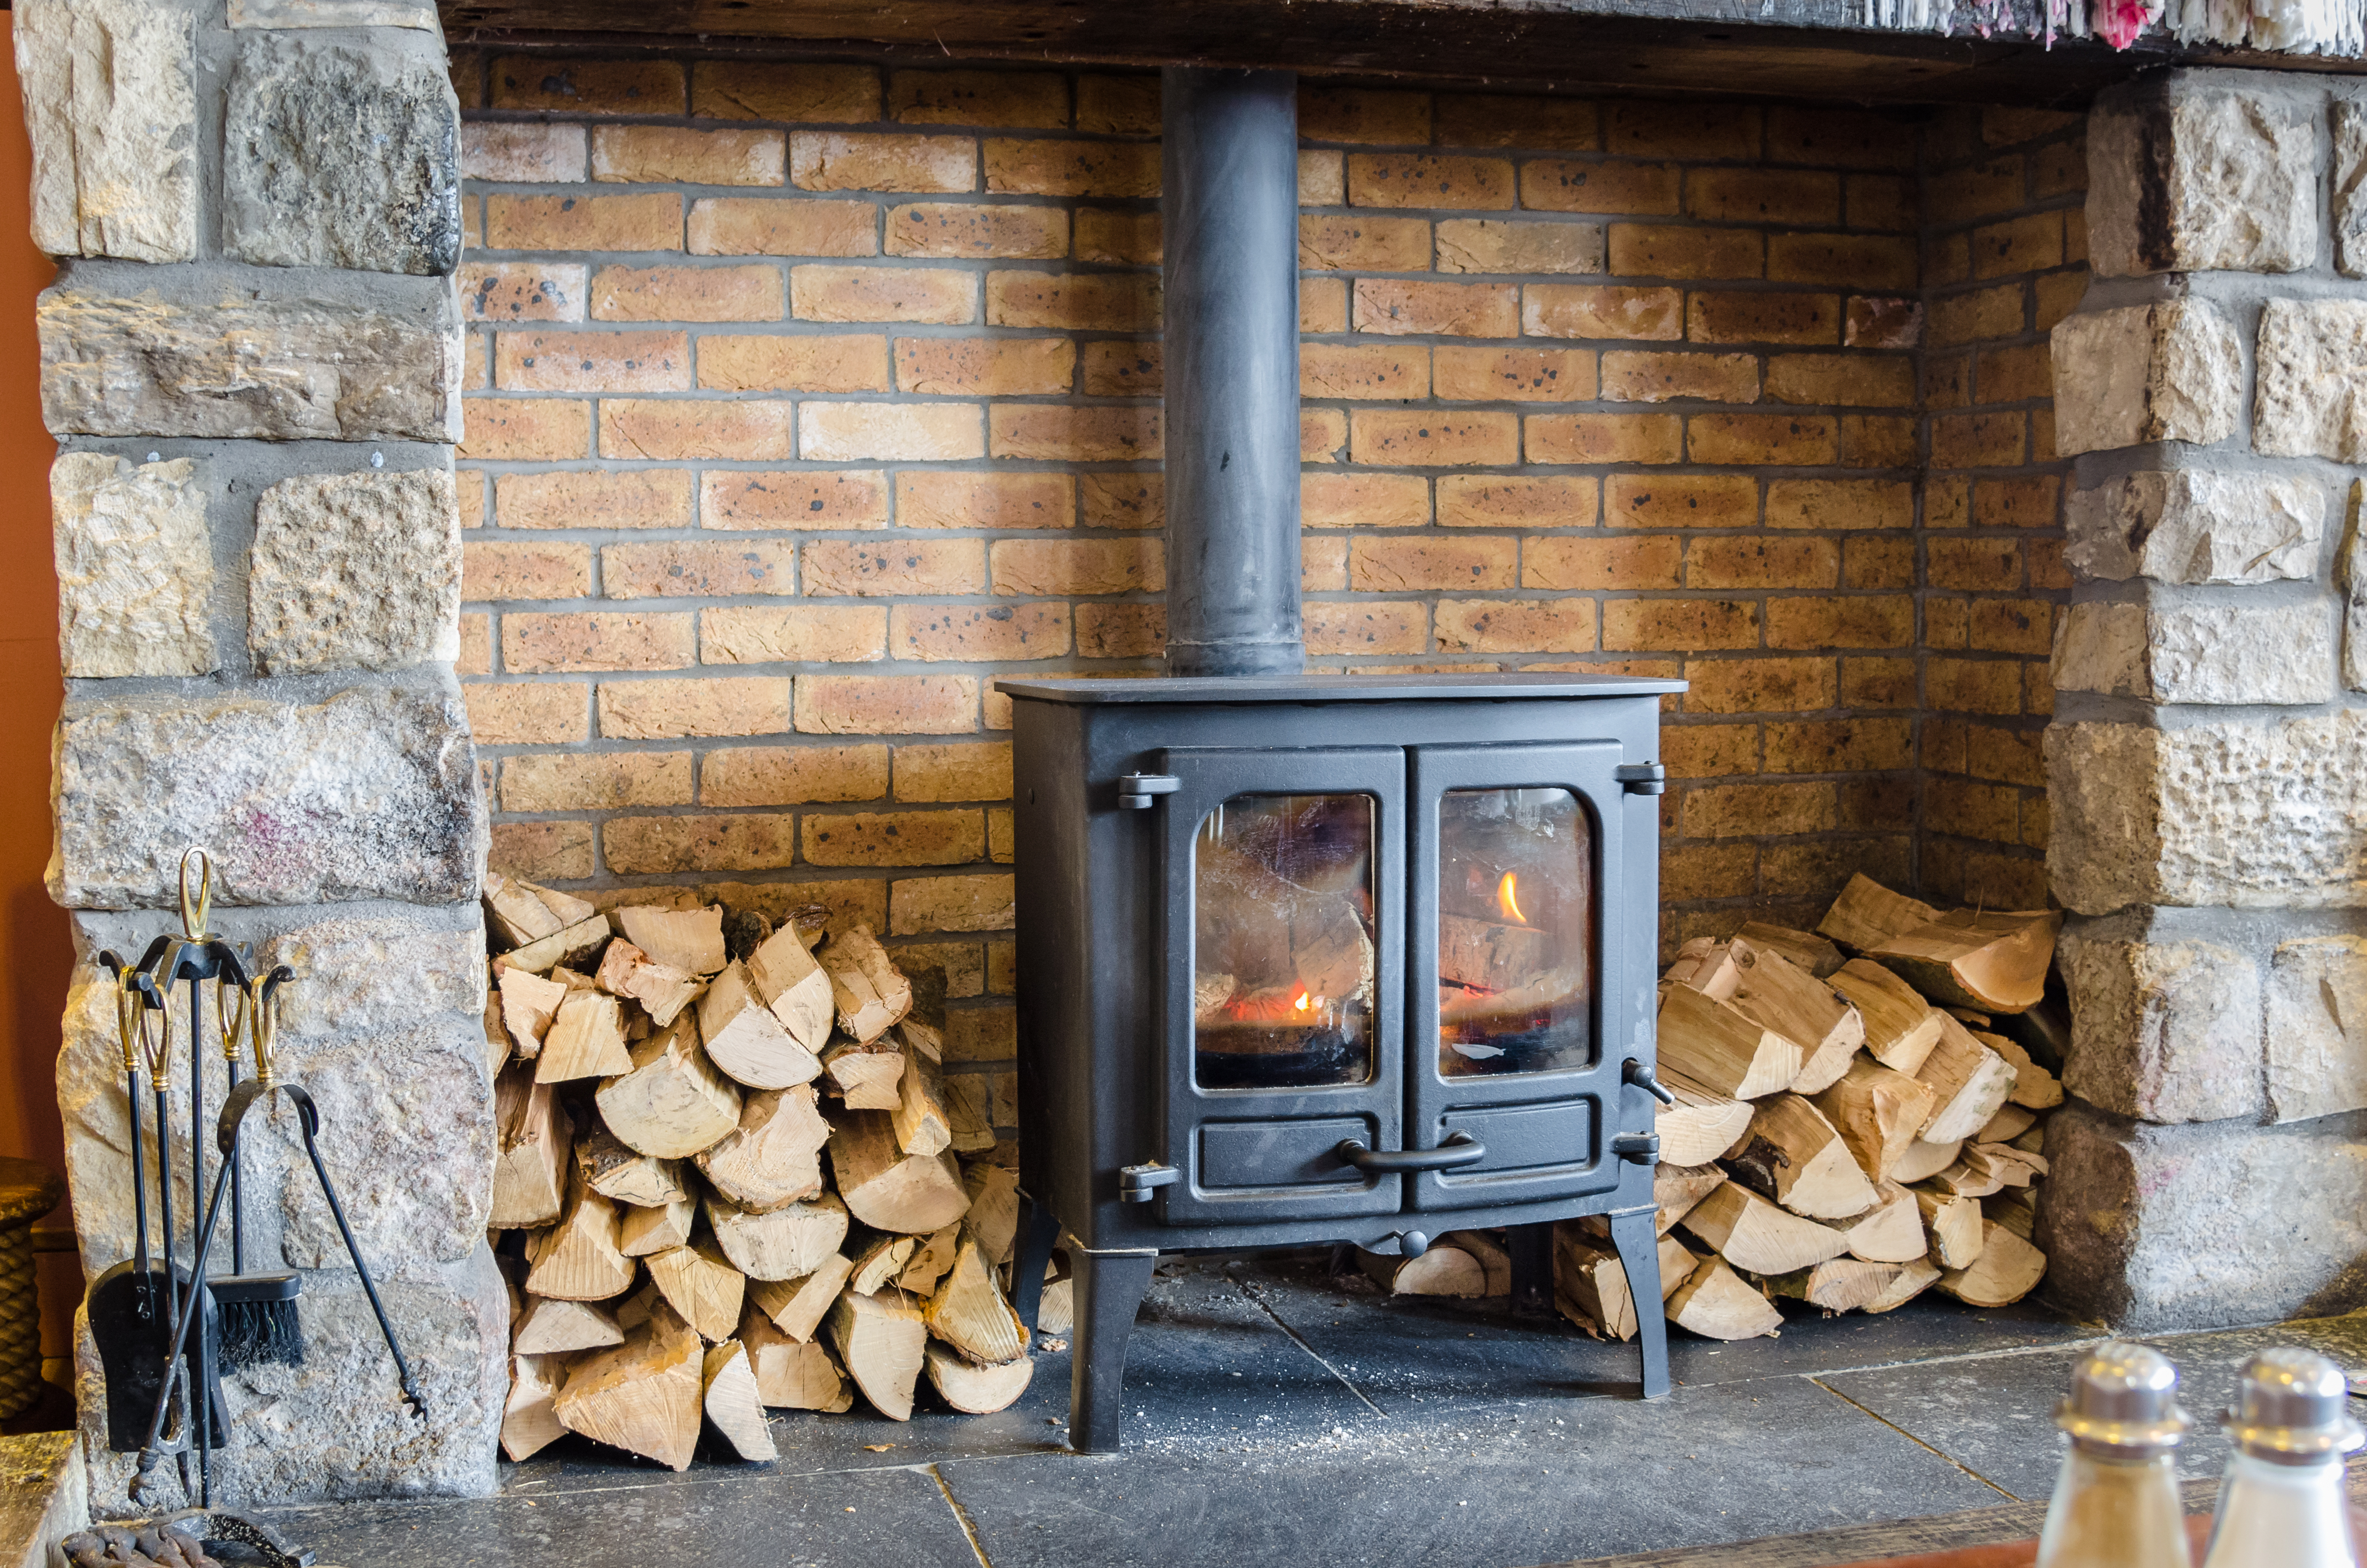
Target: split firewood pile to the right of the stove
1852	1126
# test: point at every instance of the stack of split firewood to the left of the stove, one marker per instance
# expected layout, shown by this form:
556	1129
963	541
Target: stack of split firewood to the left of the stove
737	1178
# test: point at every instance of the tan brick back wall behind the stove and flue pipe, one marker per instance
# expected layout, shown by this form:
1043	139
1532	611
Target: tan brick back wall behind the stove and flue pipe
808	399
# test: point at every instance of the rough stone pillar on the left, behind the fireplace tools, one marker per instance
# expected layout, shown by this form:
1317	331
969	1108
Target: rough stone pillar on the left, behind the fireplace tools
252	361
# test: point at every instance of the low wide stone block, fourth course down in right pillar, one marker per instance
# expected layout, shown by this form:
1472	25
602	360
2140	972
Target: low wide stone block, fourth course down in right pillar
2198	653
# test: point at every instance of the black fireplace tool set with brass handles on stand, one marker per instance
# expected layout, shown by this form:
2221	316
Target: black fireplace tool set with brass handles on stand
165	1330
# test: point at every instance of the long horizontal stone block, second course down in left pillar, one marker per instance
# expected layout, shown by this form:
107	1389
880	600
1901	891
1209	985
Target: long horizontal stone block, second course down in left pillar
262	356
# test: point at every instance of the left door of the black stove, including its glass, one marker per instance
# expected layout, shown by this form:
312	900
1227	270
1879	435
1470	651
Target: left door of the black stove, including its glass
1284	979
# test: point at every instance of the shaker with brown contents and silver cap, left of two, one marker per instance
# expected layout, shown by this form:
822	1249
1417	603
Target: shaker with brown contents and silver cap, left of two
2117	1496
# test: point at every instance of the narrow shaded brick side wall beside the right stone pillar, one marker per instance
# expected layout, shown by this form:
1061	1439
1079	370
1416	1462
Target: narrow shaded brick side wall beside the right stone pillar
2006	252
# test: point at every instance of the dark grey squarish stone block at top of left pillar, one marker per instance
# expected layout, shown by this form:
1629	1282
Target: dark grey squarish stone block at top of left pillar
342	158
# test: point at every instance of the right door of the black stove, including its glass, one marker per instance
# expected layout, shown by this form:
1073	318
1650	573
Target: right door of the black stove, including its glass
1516	880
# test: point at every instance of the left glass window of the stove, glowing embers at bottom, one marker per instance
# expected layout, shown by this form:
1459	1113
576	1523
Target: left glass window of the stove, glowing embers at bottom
1284	944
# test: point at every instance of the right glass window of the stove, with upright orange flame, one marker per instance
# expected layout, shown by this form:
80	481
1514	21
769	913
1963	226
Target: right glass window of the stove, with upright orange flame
1516	932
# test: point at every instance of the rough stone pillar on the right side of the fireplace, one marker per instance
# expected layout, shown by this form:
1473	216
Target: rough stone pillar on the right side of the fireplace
2207	769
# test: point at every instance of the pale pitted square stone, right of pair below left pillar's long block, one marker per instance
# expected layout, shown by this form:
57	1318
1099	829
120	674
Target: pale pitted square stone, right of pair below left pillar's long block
354	572
